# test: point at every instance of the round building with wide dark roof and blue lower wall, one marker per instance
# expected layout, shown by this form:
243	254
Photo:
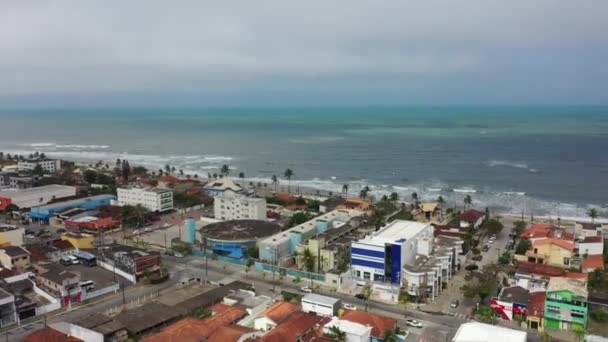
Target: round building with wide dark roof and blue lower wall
233	238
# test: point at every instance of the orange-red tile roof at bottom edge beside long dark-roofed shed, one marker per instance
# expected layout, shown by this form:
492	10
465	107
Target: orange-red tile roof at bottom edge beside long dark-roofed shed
193	330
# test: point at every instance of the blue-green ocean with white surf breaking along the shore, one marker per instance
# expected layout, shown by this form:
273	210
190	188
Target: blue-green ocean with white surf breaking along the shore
543	160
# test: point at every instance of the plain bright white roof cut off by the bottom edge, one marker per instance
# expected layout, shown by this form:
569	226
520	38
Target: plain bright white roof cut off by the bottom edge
481	332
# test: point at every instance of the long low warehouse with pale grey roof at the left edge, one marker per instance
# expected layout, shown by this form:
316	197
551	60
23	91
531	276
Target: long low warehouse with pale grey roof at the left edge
27	198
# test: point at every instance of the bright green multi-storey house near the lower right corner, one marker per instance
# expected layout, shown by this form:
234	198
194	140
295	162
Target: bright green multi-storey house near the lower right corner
566	304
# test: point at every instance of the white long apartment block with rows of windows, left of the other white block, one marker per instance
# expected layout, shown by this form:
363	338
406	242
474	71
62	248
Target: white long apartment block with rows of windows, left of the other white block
152	199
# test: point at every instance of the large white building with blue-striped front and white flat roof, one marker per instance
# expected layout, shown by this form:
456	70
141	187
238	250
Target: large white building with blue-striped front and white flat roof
381	256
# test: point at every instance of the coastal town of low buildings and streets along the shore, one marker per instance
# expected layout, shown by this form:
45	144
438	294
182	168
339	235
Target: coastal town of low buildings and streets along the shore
110	251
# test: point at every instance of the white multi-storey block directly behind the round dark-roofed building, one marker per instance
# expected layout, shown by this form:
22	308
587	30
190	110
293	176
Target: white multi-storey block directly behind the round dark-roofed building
232	206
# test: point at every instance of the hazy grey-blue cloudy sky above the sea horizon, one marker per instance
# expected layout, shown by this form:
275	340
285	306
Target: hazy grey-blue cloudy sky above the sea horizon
107	52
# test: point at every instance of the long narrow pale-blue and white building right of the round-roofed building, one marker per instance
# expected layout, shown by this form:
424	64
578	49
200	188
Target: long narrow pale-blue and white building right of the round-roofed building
279	247
